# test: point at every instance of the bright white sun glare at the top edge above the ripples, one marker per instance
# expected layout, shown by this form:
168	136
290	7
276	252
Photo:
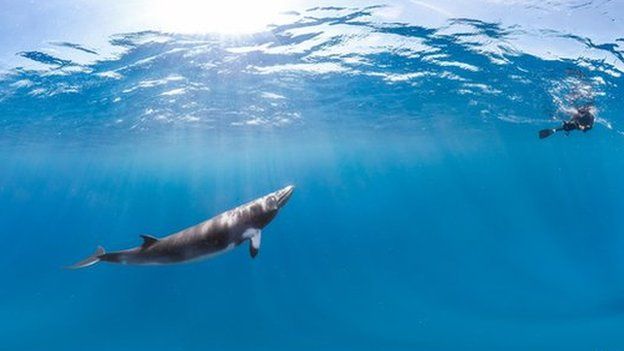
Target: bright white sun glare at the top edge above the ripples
228	16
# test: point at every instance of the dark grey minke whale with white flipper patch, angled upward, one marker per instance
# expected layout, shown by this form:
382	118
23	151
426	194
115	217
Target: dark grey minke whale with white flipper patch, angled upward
214	236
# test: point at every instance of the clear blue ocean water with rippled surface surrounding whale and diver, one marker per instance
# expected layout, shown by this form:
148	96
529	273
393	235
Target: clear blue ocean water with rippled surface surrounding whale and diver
427	214
